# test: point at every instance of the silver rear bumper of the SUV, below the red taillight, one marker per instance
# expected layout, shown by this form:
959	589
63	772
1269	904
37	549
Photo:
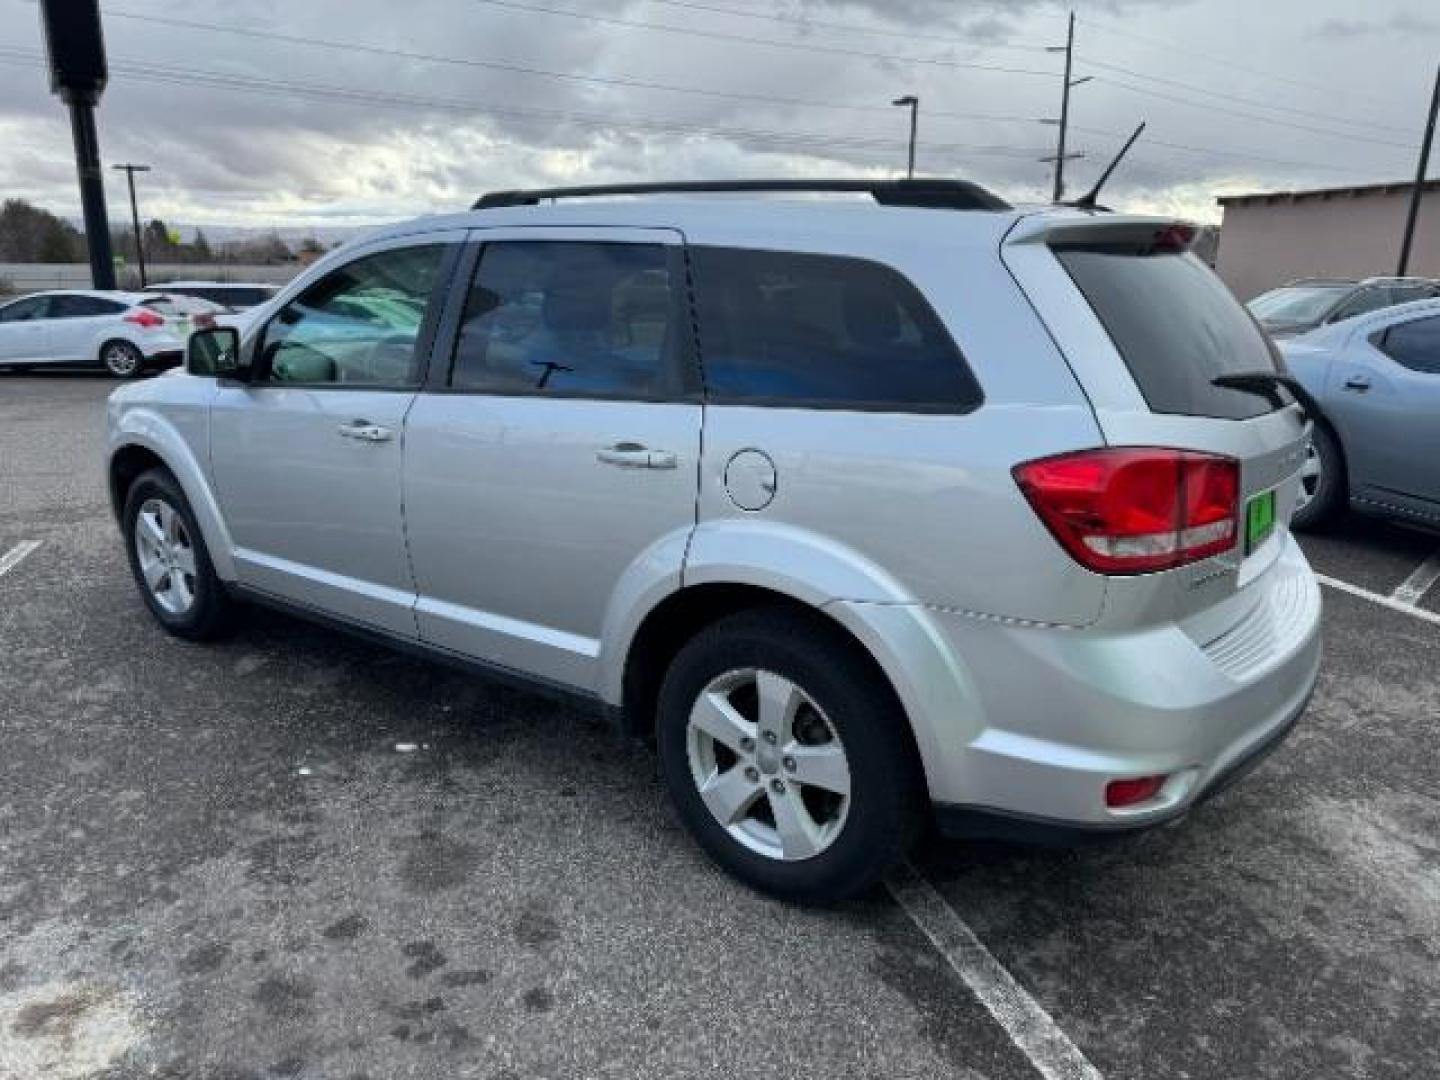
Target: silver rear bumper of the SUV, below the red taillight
1022	726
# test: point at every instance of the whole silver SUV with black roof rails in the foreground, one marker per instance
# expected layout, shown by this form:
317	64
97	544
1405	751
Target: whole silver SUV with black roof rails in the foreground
872	512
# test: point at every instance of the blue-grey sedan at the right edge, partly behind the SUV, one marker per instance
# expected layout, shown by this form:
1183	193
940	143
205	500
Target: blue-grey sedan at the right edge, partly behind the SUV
1377	443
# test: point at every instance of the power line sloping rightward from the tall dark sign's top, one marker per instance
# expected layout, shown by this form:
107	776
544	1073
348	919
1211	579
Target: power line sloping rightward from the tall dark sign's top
523	70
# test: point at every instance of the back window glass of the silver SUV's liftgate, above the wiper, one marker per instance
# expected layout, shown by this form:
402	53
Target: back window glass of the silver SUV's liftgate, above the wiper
1176	326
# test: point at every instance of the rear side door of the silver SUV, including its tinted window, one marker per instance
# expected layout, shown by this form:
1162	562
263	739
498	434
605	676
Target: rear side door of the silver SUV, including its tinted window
559	453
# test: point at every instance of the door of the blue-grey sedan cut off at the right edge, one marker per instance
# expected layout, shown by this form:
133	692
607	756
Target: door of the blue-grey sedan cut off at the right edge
1385	397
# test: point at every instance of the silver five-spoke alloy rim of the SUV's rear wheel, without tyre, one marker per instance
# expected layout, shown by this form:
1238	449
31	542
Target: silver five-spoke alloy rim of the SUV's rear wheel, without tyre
770	765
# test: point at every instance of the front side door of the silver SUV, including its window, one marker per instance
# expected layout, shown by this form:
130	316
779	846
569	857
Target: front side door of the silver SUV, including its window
307	454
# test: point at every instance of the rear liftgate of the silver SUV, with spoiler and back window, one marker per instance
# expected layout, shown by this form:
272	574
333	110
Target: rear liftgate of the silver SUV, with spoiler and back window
1147	328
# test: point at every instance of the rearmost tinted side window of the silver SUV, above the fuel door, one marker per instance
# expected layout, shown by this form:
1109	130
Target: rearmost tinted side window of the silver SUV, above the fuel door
823	332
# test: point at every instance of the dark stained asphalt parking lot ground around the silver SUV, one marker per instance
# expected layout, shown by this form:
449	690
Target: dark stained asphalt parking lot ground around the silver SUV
225	863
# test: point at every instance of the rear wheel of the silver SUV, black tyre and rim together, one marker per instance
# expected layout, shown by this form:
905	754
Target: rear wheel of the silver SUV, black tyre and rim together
788	757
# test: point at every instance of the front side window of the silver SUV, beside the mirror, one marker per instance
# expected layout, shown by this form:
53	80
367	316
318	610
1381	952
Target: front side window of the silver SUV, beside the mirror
359	325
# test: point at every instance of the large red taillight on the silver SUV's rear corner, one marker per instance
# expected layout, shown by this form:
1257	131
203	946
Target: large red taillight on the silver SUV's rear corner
1137	509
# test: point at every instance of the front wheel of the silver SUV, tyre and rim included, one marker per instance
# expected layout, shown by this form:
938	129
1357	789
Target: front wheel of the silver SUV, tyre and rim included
169	561
